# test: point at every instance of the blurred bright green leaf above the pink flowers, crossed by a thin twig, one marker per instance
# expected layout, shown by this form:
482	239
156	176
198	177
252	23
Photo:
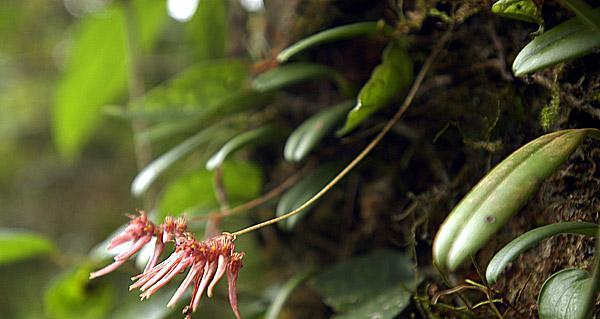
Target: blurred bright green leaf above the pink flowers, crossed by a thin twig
242	181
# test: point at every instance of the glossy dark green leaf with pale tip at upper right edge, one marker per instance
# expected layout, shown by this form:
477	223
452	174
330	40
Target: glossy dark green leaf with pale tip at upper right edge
568	40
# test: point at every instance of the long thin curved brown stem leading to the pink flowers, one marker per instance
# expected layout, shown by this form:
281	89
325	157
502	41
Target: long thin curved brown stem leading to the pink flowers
388	126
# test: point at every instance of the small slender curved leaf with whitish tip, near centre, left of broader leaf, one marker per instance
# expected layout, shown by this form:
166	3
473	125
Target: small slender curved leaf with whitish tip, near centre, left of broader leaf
259	135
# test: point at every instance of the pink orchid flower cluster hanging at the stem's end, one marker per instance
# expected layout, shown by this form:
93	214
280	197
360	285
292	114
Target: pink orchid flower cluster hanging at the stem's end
207	260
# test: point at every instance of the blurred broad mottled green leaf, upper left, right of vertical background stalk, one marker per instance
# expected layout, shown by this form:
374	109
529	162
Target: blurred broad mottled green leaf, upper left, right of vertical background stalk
201	86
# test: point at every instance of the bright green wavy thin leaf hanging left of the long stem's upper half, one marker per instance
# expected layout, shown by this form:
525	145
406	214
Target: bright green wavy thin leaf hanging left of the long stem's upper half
388	80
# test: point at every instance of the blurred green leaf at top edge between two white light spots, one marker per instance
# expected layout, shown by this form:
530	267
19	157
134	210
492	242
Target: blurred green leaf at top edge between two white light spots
207	31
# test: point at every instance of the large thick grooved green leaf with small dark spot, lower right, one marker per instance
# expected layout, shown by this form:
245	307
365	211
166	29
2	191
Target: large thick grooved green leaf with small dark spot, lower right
500	194
